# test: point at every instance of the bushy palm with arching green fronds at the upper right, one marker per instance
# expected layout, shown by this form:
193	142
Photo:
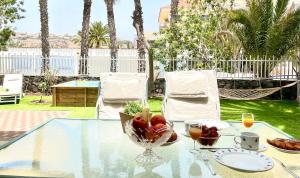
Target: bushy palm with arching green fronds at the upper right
266	29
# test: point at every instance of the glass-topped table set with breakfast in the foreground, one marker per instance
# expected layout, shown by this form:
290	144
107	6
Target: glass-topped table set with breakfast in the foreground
98	148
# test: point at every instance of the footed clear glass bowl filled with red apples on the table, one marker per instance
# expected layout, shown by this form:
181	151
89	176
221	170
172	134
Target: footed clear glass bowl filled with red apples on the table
148	137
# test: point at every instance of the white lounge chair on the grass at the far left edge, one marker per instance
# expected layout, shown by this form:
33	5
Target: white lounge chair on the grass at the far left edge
11	91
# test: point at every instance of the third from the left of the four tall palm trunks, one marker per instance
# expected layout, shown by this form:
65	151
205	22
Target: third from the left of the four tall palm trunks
112	33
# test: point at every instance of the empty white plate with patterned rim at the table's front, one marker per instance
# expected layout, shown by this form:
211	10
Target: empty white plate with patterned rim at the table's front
244	160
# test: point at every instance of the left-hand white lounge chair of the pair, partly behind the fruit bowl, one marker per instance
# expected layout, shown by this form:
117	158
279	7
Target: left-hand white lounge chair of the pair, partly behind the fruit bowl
116	90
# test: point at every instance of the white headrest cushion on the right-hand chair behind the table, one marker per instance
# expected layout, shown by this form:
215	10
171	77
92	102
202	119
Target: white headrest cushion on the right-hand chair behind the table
186	83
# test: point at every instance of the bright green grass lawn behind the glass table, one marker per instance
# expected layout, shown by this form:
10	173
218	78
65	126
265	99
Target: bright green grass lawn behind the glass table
284	115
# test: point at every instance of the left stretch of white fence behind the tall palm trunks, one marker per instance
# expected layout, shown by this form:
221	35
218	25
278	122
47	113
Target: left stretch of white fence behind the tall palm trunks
65	62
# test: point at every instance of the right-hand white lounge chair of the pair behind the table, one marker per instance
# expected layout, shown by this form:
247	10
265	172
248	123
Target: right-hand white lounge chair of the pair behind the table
191	95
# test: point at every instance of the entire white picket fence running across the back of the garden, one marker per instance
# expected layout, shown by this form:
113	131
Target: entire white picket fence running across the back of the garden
66	62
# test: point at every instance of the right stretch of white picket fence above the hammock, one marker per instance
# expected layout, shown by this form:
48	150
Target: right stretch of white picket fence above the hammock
243	69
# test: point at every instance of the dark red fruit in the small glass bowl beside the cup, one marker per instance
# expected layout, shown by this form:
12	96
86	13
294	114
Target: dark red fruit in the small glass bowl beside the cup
209	135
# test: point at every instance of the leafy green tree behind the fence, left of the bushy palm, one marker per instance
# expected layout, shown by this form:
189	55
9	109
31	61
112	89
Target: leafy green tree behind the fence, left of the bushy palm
193	36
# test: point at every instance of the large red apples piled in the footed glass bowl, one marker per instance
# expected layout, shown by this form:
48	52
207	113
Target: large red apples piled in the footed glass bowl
149	128
